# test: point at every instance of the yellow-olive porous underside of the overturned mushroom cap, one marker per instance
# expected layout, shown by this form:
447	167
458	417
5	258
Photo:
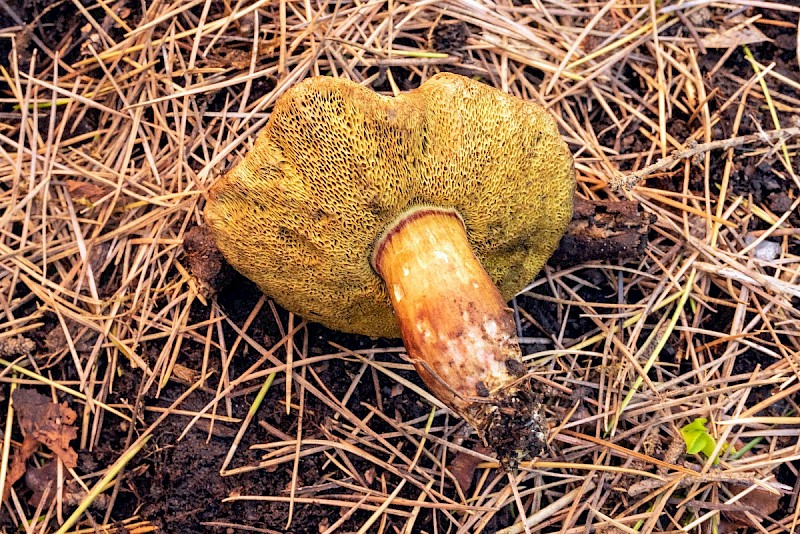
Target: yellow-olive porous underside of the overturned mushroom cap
337	163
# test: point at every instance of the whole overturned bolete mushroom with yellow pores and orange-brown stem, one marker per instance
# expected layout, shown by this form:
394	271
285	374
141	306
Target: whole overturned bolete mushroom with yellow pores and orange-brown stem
417	216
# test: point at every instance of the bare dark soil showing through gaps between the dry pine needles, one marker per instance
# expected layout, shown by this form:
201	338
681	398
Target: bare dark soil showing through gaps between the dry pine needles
177	485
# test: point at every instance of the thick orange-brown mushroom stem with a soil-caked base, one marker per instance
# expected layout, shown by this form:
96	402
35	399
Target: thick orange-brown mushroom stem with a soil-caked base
458	331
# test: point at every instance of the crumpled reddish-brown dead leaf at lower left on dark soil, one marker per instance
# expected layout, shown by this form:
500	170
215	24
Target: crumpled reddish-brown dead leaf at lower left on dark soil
48	423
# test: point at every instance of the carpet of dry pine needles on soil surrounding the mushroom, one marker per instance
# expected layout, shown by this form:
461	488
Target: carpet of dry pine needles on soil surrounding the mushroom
115	118
